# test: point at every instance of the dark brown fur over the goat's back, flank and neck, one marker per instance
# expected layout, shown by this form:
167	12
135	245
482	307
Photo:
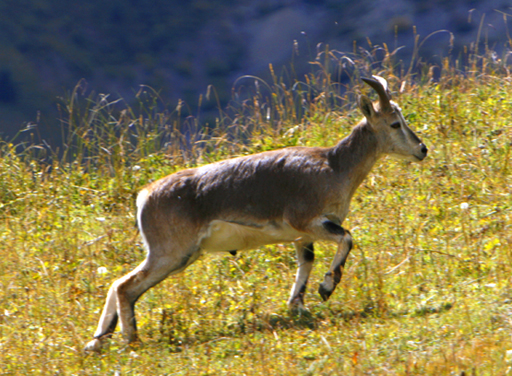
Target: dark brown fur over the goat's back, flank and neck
295	183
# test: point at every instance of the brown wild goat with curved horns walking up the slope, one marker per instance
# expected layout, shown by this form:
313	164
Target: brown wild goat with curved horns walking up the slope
296	194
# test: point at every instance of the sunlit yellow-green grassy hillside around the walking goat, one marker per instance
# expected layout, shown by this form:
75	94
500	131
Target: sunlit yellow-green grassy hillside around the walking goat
426	291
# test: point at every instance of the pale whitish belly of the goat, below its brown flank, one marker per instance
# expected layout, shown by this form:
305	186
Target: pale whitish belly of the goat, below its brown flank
223	236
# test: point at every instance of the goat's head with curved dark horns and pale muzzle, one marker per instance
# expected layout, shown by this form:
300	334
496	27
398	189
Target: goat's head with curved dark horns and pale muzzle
386	119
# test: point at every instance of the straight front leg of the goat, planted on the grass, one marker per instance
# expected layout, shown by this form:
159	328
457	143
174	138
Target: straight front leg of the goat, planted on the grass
305	258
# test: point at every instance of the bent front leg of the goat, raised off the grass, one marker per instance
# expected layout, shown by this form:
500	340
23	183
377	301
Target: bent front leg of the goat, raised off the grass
333	276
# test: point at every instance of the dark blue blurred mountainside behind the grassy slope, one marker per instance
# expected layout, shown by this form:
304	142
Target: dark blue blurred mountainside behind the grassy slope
180	47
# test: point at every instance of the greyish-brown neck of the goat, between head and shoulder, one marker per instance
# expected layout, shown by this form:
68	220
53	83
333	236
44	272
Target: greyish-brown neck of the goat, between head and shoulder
355	155
